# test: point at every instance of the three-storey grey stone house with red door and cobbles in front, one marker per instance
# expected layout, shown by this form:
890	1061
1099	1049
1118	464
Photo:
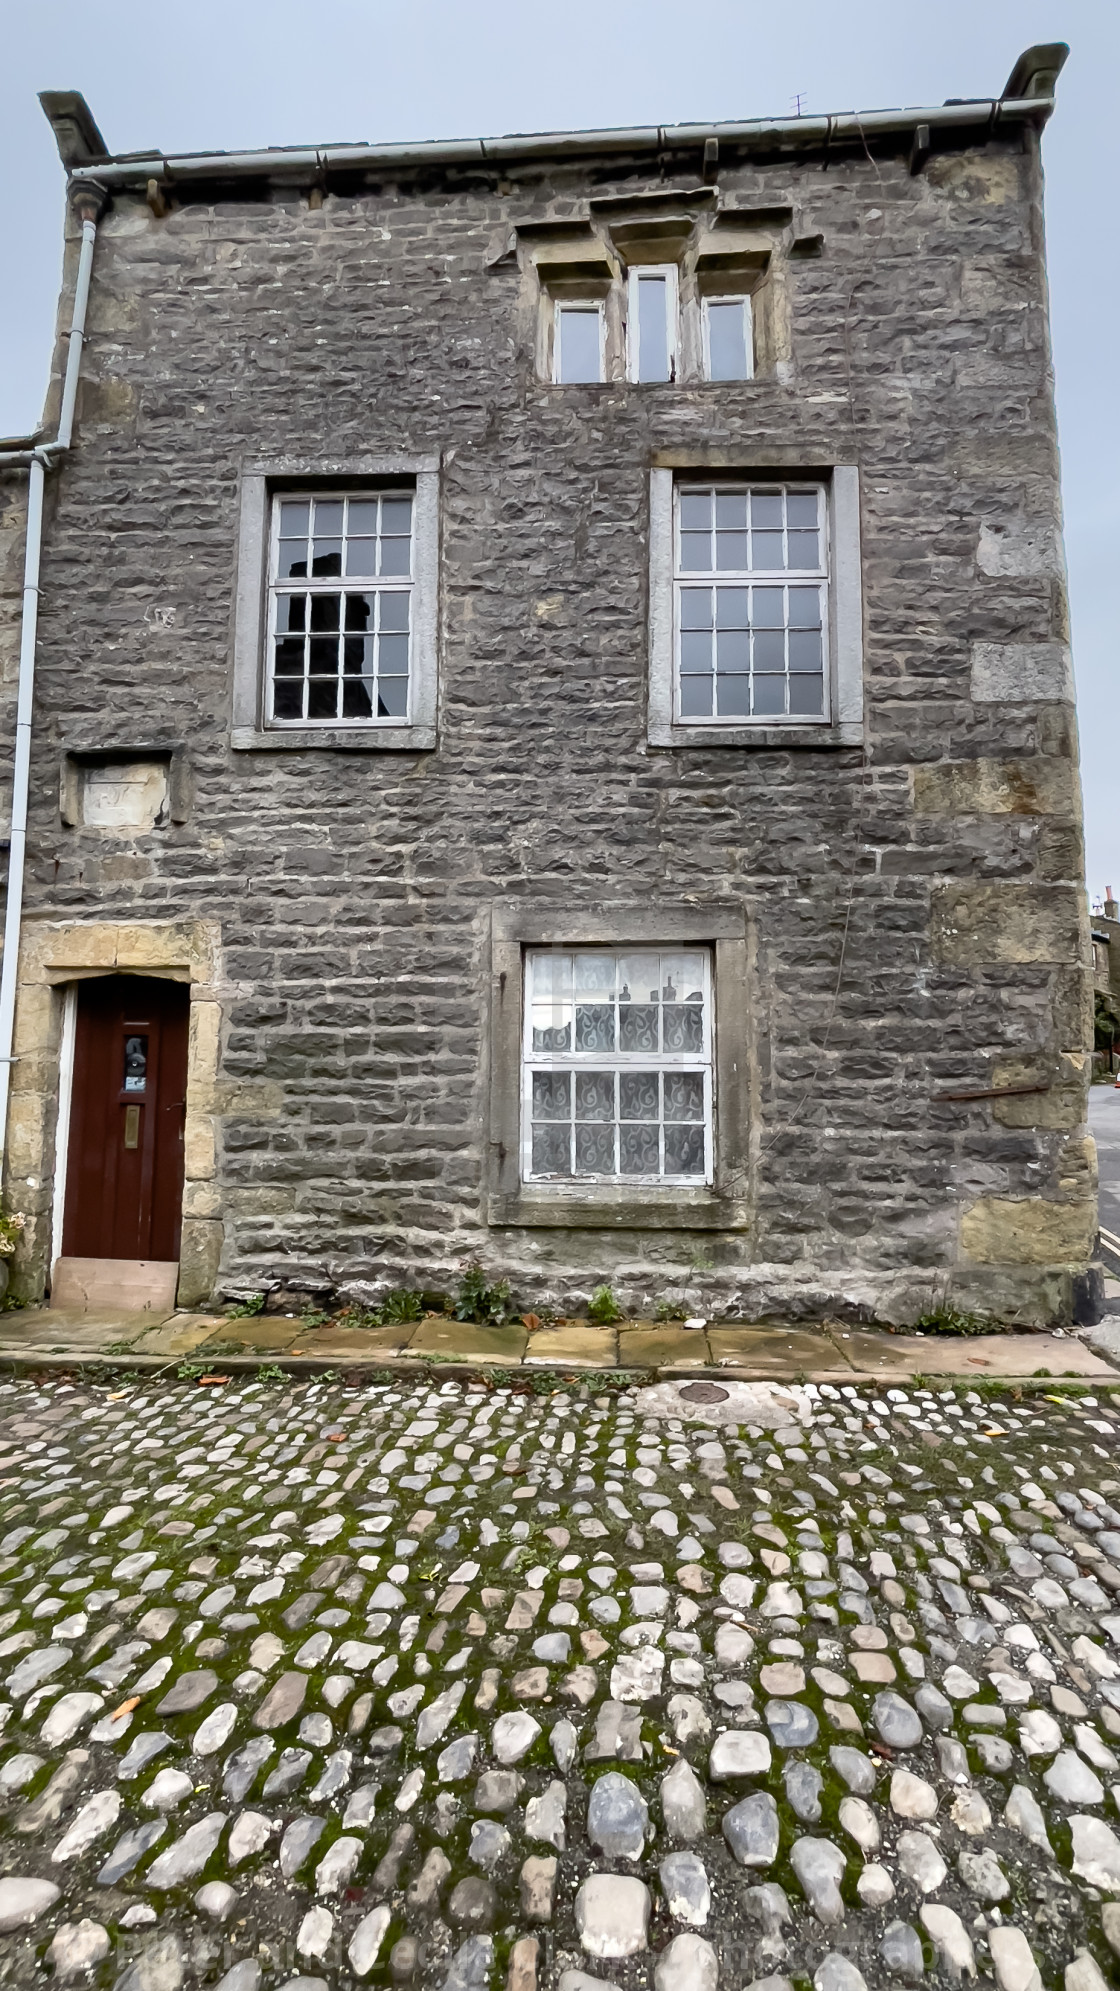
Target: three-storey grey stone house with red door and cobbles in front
554	728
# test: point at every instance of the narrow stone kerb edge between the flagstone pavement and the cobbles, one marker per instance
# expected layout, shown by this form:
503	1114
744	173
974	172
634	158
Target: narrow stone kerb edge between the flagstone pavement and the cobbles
309	1367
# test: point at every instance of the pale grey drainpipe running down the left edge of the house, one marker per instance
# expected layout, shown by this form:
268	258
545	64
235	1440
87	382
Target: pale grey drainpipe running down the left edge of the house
39	461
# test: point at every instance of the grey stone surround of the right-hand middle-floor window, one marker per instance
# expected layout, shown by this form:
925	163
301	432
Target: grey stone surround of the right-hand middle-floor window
844	728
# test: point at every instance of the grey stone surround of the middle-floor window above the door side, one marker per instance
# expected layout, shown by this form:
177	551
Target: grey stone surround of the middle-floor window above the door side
357	477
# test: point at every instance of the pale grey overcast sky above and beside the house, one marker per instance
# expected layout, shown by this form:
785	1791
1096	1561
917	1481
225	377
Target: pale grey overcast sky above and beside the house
281	73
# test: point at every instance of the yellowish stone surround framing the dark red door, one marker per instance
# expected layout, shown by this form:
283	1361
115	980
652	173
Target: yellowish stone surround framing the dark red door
55	957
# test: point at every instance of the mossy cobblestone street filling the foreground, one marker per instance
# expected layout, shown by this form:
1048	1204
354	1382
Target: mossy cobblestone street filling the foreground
693	1685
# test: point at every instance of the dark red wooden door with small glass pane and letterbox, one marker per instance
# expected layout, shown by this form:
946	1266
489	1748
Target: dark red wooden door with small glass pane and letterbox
124	1174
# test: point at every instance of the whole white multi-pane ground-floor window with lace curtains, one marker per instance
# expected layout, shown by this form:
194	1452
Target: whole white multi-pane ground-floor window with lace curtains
618	1066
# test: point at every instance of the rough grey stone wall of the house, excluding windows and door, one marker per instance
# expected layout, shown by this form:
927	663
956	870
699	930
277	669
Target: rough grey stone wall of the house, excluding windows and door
902	1034
